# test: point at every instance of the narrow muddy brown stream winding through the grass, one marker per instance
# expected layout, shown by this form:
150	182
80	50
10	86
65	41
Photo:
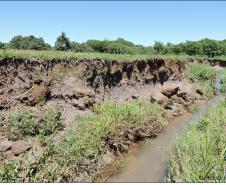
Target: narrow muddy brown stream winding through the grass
148	162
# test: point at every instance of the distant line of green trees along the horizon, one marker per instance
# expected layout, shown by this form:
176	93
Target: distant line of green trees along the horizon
204	47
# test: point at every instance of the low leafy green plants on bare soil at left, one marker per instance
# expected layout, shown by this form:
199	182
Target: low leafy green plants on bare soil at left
24	123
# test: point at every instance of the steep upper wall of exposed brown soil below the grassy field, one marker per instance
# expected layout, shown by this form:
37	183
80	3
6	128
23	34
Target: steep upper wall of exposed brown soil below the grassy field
72	80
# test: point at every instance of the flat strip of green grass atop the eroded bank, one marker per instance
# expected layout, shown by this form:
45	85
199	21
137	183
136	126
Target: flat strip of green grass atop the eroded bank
50	54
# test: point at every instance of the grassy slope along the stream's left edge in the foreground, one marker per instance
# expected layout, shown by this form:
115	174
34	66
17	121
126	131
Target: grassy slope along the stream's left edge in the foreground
79	153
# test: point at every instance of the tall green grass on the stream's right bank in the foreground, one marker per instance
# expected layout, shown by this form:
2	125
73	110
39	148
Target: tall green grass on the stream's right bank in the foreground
199	154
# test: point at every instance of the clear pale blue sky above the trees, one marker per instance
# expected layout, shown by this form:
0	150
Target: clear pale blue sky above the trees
139	22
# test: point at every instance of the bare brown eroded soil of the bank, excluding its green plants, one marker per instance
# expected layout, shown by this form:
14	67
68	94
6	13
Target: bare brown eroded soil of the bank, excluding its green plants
75	86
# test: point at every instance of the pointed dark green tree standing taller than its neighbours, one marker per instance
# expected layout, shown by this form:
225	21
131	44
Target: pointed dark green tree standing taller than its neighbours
62	42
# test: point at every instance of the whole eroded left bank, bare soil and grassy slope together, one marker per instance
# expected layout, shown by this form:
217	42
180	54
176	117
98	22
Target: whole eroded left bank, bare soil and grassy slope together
74	117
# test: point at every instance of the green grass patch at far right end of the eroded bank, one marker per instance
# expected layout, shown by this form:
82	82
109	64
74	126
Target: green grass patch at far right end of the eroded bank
204	77
